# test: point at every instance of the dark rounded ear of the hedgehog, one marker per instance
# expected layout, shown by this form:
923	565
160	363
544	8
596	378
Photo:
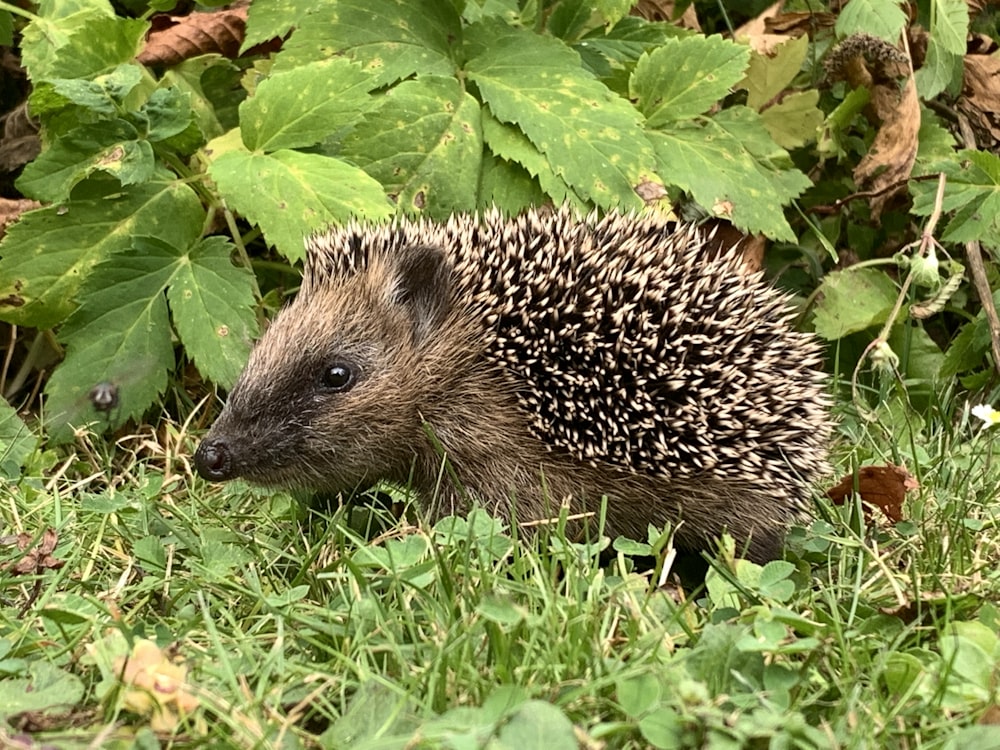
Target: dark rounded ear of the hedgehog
423	284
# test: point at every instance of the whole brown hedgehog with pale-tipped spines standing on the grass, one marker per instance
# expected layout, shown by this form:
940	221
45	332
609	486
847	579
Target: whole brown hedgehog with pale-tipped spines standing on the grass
530	364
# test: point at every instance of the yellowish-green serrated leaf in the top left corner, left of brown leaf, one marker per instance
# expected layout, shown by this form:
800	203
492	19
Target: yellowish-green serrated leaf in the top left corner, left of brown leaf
96	44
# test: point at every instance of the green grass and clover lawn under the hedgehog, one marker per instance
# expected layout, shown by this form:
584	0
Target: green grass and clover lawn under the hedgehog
284	626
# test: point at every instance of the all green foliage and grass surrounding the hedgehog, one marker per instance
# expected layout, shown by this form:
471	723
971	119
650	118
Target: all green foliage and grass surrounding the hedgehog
162	174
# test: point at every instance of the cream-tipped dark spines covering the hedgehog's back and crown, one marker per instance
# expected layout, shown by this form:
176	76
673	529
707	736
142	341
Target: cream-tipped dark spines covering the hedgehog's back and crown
626	344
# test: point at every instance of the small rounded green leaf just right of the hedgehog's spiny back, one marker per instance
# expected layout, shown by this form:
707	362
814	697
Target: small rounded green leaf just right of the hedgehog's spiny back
853	300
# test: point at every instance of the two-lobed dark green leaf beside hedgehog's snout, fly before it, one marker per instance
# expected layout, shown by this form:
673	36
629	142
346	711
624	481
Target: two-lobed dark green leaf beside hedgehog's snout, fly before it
121	336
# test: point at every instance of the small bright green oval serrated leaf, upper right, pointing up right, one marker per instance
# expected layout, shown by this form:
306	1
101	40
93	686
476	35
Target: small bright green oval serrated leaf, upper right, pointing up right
685	77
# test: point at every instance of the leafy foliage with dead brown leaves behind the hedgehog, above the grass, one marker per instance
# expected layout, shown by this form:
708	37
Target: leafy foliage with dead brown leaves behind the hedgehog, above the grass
161	160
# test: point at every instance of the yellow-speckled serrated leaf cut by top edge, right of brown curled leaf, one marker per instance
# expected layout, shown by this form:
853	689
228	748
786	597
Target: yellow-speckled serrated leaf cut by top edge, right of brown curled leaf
391	40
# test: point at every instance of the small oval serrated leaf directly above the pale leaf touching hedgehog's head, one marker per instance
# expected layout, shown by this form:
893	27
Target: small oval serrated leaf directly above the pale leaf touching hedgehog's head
303	106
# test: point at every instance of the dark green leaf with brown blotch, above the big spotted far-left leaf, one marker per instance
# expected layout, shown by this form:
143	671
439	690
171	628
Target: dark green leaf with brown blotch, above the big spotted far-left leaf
113	147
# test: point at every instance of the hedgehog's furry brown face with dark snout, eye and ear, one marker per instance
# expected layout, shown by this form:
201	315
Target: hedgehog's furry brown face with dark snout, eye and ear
331	396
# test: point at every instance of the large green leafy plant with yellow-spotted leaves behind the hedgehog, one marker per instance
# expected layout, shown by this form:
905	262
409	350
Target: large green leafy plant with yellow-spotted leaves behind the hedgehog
368	108
